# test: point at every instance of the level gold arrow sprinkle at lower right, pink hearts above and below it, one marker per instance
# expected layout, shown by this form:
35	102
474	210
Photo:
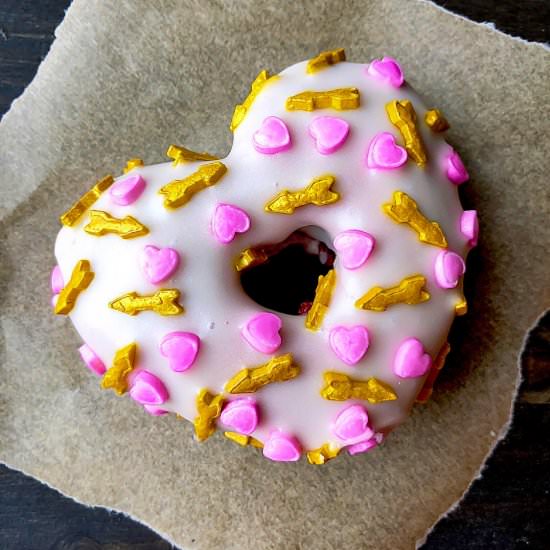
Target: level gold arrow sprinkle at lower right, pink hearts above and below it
341	387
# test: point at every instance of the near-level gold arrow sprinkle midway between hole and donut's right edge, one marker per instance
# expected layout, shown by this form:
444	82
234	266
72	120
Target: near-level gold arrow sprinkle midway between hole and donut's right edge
409	291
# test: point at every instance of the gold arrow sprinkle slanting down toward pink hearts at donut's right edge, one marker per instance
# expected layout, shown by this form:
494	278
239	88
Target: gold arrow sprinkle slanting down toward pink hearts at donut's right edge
405	210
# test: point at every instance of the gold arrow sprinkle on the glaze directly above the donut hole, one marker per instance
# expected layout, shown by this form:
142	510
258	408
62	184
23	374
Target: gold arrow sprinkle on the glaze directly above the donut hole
318	193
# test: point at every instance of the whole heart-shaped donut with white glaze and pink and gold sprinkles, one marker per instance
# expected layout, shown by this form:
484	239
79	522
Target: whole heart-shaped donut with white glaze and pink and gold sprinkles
169	271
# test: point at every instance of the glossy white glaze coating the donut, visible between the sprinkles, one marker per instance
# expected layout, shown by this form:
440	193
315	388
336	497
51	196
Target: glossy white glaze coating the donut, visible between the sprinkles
216	307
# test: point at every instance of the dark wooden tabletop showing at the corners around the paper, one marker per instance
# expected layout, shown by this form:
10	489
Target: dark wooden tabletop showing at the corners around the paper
508	509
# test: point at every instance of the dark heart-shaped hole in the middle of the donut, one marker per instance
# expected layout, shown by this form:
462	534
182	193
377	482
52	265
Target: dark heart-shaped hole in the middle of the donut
287	280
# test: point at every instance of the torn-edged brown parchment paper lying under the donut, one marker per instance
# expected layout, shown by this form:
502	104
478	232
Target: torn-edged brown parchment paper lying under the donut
127	78
